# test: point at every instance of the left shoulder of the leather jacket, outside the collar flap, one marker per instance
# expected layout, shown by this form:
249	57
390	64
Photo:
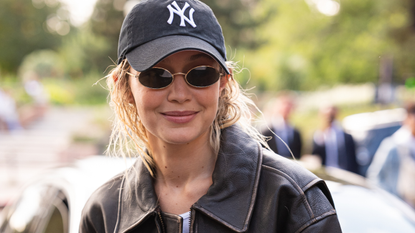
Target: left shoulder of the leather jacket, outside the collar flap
102	204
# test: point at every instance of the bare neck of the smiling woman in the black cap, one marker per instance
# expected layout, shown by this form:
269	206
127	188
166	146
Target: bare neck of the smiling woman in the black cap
183	173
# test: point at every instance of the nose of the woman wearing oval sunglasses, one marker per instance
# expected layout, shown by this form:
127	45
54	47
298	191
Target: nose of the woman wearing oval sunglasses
179	90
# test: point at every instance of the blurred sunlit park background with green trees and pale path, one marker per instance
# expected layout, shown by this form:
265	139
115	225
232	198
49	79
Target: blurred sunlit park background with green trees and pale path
356	54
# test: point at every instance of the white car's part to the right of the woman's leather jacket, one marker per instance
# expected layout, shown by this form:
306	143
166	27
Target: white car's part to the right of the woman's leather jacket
362	208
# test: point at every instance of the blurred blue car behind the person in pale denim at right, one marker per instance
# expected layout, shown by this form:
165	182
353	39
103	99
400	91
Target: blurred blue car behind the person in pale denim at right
369	129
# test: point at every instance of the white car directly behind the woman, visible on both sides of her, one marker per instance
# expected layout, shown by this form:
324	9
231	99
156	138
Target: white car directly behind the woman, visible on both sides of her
54	201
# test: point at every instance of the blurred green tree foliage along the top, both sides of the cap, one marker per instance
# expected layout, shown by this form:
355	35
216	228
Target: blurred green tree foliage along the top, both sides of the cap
285	44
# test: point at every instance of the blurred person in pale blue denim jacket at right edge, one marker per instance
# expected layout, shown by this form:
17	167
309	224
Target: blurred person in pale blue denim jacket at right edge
393	167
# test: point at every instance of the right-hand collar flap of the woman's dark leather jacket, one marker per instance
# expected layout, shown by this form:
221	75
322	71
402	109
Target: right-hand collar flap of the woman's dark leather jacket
230	199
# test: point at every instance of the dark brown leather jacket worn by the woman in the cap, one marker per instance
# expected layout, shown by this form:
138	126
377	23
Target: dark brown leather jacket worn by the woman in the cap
253	190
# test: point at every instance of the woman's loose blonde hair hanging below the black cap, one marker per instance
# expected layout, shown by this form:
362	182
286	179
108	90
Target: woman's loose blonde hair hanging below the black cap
128	137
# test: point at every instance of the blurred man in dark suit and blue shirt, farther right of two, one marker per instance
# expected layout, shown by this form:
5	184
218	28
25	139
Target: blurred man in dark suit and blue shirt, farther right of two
335	147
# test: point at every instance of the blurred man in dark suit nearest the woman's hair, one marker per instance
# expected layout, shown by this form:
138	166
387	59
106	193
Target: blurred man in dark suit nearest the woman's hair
280	125
